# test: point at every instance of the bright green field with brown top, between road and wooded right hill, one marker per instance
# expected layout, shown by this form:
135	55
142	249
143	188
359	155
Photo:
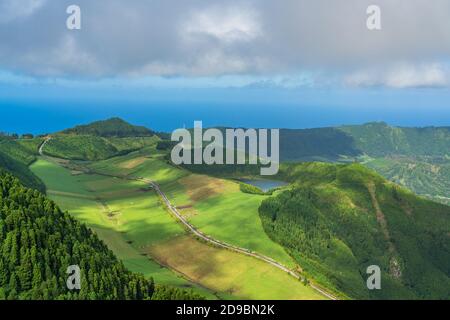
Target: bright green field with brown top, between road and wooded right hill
231	215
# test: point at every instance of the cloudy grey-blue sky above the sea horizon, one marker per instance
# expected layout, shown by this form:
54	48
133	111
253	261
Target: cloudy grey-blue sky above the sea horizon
283	44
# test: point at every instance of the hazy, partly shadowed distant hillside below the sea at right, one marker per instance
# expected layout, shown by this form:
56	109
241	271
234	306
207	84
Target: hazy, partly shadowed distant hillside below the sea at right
417	158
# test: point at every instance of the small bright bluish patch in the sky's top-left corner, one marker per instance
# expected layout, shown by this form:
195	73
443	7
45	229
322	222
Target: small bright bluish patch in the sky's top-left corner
14	9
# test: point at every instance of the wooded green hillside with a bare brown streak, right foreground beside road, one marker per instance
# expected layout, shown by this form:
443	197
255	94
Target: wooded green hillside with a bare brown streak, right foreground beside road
340	219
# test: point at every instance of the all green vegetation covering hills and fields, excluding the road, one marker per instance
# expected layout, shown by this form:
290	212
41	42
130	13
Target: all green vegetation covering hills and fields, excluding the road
333	222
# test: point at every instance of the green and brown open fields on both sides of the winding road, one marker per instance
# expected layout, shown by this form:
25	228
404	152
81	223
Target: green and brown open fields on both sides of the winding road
134	224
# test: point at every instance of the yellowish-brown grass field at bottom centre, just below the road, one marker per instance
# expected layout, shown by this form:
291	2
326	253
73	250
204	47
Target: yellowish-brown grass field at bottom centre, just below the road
234	274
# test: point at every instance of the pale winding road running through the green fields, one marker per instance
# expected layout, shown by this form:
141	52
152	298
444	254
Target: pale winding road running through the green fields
207	238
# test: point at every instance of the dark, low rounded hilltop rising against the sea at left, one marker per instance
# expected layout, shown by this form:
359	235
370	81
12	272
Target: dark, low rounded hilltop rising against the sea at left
114	127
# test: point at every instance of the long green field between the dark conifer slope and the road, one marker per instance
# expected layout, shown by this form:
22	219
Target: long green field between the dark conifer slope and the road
124	224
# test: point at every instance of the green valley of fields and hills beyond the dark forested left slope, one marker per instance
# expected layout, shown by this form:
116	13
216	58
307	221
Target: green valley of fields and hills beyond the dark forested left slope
223	233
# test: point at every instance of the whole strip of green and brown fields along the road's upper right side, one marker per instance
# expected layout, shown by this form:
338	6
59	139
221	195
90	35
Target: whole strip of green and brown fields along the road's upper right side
216	206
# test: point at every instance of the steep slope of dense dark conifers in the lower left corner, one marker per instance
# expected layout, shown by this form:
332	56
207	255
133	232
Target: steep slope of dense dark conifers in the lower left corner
38	242
